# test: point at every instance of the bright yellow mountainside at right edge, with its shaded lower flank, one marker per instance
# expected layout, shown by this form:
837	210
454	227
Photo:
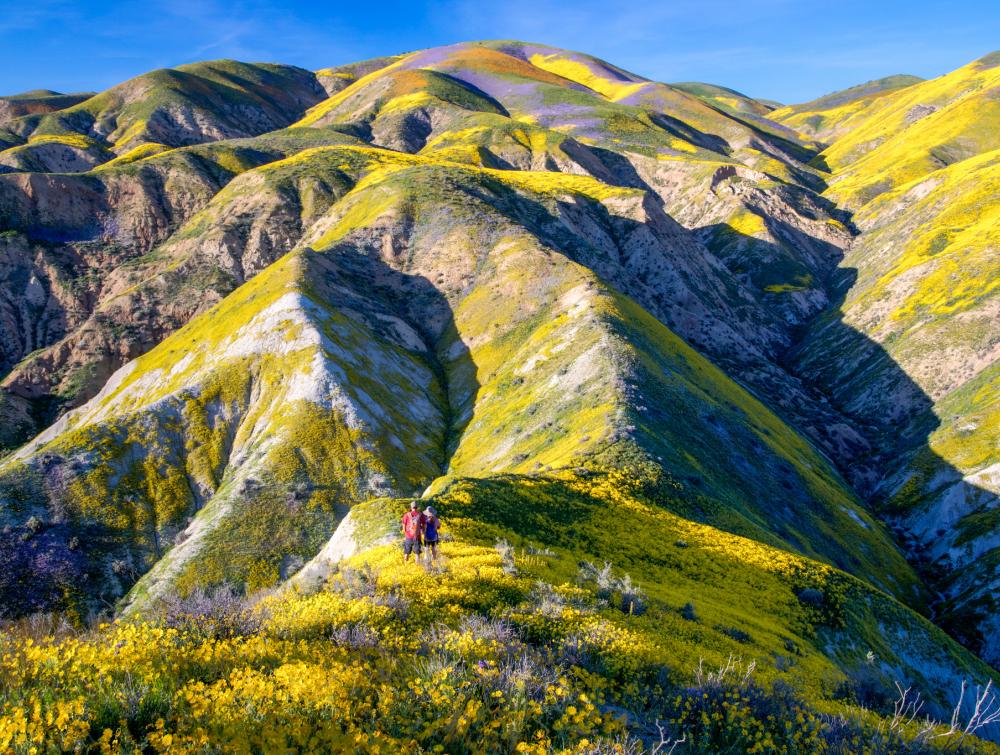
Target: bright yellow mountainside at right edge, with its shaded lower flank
920	283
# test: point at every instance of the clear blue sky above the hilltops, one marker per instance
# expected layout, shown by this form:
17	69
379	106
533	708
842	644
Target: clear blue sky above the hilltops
789	50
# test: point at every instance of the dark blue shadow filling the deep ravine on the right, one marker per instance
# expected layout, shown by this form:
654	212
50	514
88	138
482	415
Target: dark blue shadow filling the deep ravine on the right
858	378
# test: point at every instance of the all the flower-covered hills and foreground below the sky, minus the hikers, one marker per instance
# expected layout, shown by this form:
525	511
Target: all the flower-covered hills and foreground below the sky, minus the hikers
249	312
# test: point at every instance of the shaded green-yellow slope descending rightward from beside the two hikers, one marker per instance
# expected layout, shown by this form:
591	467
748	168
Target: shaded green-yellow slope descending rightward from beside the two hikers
637	522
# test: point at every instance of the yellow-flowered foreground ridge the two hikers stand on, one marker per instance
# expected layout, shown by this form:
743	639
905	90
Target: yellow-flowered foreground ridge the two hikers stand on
507	643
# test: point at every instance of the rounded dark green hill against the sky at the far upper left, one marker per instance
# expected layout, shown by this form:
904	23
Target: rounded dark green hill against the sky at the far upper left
172	107
